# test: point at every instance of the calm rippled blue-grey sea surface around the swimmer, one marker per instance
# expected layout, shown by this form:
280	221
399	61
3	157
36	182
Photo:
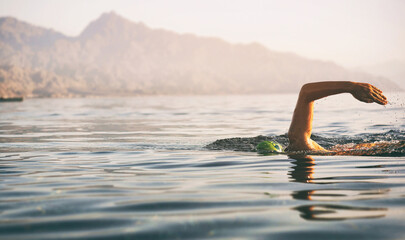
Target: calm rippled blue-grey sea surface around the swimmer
136	168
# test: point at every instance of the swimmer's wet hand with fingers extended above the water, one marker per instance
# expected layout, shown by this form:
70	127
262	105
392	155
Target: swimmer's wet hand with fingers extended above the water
368	93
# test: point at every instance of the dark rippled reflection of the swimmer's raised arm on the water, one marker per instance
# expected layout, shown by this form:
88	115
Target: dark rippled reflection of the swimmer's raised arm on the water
303	170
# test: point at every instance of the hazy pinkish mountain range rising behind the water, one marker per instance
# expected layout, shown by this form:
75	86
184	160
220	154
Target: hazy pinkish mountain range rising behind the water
114	56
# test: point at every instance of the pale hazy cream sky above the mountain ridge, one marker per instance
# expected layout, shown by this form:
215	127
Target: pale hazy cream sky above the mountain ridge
349	32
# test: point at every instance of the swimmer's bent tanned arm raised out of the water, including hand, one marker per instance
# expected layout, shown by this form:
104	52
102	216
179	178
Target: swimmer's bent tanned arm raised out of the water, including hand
301	125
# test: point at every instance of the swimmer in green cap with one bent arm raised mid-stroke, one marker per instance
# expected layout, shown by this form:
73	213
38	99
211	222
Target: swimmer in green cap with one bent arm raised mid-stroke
299	134
